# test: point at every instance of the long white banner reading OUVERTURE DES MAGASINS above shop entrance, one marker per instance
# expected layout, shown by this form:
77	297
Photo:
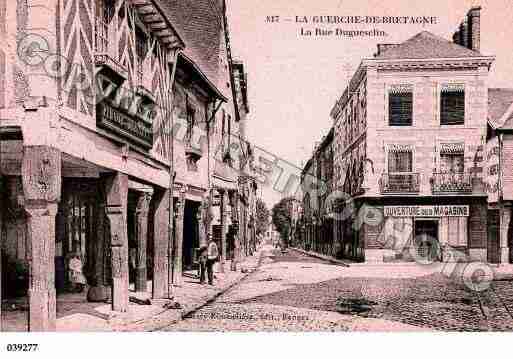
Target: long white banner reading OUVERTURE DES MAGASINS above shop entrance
426	211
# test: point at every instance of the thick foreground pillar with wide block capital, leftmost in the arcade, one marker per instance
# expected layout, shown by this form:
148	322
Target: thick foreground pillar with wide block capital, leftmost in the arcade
41	177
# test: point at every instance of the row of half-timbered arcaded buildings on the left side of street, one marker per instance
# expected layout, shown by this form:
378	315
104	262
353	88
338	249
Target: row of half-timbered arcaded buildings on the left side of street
86	145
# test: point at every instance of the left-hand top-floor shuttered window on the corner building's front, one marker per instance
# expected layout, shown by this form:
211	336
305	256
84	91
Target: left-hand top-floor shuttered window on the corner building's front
400	105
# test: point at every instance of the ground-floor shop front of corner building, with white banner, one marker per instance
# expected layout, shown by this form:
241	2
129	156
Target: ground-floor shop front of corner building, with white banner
426	232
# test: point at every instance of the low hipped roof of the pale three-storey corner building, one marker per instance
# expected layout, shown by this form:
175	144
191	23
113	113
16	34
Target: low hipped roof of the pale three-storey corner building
426	45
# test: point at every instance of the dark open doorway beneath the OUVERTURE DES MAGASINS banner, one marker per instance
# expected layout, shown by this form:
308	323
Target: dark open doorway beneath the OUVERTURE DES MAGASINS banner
426	240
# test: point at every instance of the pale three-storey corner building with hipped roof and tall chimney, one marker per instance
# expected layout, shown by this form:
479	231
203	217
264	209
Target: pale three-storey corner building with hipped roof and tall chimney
409	137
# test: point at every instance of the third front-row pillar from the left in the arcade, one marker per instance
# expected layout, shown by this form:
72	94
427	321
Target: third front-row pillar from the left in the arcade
161	244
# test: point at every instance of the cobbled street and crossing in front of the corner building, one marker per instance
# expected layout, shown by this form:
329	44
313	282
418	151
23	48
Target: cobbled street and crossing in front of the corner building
294	292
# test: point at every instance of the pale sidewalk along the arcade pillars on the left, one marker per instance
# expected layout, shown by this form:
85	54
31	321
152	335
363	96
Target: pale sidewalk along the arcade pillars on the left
75	314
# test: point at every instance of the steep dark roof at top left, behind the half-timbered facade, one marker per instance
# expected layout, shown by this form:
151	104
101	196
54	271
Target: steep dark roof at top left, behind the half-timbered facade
200	25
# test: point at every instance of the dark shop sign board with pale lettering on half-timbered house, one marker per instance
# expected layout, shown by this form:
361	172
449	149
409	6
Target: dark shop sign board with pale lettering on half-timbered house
130	127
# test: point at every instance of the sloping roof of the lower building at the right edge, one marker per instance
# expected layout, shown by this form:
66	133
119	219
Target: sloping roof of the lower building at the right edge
500	107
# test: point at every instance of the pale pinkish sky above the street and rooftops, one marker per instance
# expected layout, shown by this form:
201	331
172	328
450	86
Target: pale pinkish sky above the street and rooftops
294	81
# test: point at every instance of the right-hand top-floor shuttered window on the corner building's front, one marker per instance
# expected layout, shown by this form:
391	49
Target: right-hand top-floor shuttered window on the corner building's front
452	105
